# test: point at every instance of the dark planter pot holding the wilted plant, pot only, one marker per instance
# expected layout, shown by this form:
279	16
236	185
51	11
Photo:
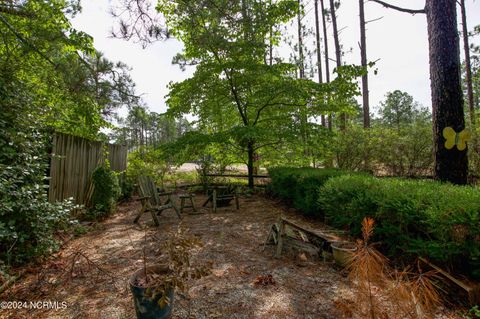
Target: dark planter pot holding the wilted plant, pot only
145	306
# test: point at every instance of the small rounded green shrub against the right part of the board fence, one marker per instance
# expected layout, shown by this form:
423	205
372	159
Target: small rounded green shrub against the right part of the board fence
106	191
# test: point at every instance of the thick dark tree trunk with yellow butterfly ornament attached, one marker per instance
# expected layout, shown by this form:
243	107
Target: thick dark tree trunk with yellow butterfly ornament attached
447	96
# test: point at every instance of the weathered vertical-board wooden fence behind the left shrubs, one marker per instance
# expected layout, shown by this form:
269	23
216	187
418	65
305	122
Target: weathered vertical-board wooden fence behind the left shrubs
73	161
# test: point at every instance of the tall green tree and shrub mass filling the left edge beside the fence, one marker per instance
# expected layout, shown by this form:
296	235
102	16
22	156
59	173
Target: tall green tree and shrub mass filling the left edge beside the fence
46	83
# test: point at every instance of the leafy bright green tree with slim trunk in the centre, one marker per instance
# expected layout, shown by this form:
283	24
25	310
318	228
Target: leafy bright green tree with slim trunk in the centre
234	92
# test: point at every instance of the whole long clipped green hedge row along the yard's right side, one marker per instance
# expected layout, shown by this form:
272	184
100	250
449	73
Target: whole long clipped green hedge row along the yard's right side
413	218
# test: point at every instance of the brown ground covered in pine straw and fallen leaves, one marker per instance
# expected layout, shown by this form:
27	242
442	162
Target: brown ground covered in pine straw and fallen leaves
91	272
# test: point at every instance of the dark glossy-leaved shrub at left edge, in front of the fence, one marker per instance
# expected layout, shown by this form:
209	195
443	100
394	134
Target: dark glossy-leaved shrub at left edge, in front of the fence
28	221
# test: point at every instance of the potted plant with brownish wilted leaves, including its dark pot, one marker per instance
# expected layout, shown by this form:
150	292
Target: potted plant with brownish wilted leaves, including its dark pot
153	286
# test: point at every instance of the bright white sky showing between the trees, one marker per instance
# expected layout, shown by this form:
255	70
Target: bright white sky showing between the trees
398	43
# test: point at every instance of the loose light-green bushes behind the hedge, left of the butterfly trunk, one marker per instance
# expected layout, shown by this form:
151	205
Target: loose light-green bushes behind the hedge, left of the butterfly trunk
406	151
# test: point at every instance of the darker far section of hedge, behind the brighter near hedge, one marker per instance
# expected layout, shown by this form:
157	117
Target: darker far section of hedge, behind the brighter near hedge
300	186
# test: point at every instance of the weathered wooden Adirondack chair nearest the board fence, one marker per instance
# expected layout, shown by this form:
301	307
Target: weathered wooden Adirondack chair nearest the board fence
152	200
